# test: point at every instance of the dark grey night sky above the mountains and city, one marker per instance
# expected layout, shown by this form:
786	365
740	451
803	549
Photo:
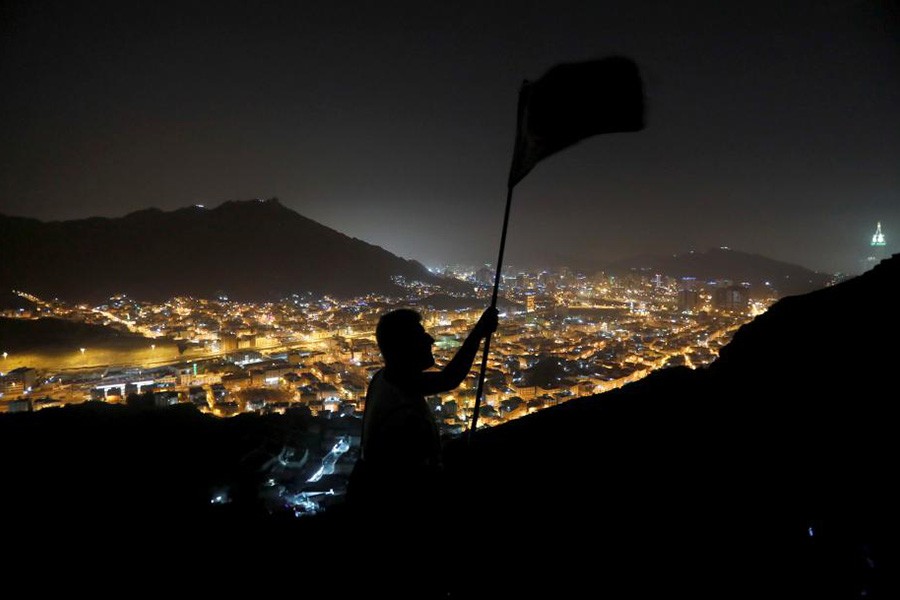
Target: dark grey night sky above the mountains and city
772	127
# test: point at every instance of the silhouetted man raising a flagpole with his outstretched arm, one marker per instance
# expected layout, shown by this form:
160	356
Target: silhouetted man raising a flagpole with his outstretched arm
399	471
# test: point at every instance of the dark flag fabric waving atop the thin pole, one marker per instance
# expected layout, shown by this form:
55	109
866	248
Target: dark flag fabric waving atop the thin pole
572	102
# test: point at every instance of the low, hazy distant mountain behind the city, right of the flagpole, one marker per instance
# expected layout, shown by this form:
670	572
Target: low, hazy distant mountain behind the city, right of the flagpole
723	263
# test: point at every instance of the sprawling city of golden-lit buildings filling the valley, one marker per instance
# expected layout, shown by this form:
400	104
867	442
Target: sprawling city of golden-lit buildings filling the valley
562	335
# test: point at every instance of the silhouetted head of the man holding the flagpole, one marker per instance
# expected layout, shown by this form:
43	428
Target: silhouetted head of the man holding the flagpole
403	341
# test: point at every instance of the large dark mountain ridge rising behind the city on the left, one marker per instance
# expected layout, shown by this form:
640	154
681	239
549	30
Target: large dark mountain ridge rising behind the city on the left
247	250
